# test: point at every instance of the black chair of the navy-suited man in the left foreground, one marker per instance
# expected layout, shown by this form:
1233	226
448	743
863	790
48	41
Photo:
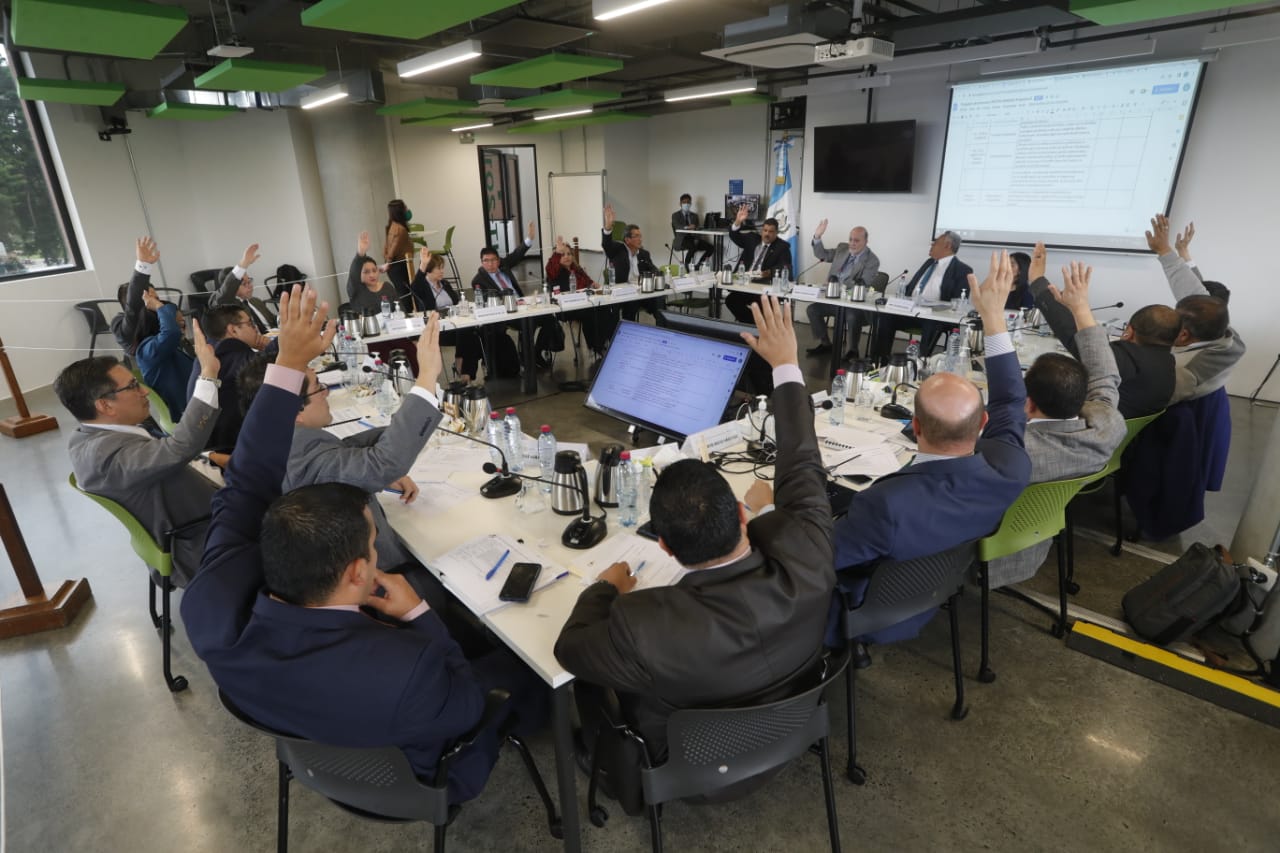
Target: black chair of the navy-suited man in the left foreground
378	783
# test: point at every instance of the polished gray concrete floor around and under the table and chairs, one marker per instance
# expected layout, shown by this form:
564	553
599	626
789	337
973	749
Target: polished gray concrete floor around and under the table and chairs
1062	751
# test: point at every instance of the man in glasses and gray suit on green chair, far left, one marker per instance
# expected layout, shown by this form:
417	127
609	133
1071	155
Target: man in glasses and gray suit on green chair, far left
116	458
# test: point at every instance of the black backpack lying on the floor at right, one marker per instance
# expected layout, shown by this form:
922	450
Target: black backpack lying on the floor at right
1182	599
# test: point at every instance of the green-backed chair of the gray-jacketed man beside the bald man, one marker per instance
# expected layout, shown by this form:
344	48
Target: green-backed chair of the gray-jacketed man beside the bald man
1039	514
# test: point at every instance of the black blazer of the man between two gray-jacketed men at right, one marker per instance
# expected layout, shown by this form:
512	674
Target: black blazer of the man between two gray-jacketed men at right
1148	372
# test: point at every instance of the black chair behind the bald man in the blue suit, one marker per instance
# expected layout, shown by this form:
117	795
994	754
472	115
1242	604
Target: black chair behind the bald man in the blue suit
899	591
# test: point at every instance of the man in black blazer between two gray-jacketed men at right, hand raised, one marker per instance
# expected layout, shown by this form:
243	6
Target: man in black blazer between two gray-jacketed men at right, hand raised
1144	353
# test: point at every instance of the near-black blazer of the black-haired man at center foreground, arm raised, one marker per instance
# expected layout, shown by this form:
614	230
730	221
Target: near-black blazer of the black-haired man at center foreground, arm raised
724	633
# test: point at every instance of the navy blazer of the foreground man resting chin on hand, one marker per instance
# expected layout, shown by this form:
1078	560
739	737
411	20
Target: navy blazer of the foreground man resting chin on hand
335	677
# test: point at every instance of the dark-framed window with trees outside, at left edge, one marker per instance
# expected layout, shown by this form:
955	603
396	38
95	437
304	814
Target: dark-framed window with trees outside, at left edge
36	238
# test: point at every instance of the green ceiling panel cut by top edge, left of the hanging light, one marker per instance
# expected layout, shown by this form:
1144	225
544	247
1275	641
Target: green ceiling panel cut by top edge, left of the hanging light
406	20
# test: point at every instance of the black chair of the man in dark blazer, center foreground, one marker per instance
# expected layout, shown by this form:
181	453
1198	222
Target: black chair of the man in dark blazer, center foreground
715	750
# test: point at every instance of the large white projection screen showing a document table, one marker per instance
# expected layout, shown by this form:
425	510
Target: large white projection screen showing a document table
1078	159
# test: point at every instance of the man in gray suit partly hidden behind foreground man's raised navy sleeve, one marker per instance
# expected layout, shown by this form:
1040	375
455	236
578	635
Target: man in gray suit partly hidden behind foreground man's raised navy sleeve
374	460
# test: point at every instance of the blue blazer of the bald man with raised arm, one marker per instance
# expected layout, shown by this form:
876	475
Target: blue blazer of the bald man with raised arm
934	507
